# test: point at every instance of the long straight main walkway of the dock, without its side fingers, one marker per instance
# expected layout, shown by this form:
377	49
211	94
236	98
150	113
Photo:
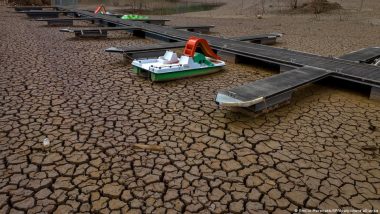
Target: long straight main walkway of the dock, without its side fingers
367	74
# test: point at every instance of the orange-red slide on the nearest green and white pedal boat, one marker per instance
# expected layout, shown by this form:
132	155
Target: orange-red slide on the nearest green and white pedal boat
192	45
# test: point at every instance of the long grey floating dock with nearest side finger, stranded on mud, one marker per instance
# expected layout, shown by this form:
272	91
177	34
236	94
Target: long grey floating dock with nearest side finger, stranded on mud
300	68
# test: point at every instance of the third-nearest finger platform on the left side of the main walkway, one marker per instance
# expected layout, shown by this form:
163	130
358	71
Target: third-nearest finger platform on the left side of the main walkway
97	32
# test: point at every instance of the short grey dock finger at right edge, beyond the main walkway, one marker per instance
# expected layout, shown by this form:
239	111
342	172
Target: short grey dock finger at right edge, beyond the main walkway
363	56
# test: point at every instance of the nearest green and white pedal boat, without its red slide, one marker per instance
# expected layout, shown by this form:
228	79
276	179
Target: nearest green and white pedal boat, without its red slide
170	67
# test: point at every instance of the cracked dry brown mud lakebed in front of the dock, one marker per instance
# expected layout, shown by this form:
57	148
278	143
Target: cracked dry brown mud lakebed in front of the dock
305	155
